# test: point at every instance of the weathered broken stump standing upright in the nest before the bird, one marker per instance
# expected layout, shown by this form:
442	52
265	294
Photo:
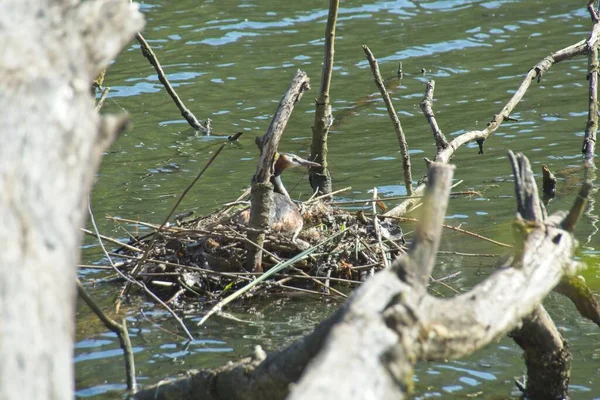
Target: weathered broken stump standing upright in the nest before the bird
262	189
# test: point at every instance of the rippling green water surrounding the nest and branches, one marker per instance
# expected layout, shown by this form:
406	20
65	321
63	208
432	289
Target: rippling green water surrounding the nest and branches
232	61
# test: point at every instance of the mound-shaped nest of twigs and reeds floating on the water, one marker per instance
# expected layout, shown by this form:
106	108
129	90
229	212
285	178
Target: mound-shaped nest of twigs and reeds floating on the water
203	258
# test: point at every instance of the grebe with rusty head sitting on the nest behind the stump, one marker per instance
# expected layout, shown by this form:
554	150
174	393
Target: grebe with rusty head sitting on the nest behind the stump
284	216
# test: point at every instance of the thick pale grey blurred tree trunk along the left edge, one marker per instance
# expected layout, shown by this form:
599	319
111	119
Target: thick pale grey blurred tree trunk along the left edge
52	141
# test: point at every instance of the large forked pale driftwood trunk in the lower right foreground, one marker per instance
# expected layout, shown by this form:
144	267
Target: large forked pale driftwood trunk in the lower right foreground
367	349
